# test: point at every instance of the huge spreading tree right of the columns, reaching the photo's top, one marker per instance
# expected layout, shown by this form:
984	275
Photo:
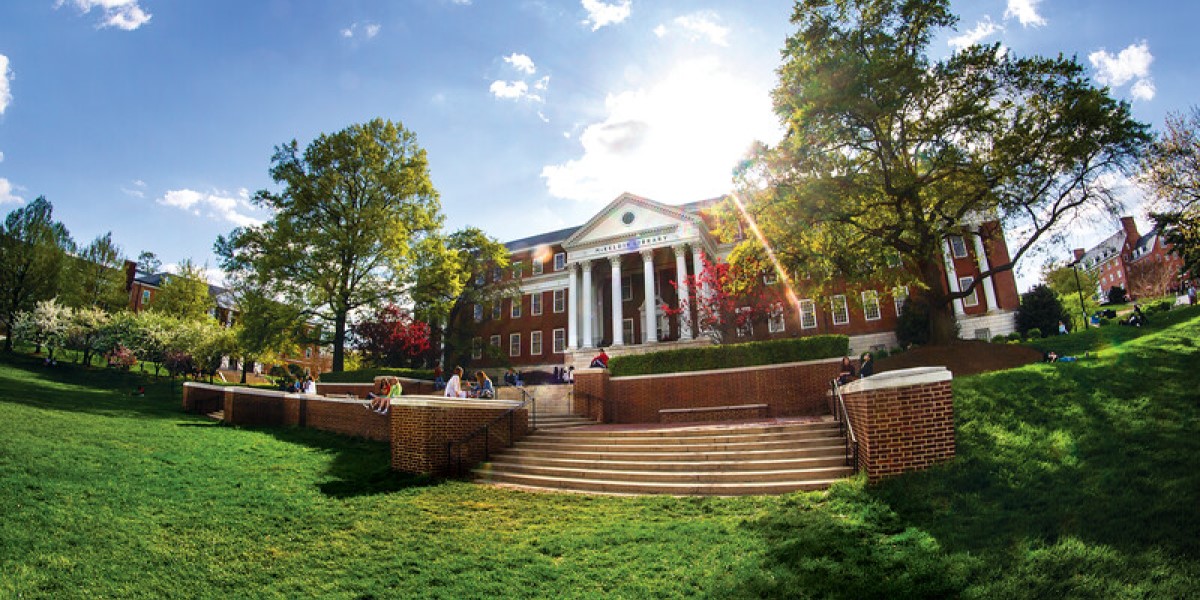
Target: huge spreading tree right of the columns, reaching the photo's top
890	154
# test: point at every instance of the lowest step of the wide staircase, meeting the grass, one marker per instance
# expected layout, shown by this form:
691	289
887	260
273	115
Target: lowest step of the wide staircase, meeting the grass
659	488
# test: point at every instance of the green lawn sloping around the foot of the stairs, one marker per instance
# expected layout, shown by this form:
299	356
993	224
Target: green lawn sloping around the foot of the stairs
1073	481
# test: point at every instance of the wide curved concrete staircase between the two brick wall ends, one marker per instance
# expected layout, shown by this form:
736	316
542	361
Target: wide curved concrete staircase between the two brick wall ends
722	460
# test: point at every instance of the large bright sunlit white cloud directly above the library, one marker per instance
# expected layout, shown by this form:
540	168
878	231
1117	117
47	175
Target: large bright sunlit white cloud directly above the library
677	141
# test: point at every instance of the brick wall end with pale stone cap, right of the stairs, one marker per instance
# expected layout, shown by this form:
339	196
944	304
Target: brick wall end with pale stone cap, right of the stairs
904	421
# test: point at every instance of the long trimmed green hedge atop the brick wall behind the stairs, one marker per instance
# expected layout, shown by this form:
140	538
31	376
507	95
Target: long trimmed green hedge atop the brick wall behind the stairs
731	356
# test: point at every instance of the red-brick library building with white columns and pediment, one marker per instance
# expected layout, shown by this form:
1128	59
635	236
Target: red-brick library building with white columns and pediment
587	287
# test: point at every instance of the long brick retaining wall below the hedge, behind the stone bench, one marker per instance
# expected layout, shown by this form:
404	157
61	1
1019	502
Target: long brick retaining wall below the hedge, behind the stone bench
793	389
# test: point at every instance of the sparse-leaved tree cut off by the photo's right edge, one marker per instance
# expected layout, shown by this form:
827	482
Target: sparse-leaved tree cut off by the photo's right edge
1172	172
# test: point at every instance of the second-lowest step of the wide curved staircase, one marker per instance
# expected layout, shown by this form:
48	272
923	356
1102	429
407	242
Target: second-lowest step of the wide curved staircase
525	463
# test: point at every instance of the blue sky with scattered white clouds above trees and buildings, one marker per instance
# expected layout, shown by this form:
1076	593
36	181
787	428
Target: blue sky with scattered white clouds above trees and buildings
157	119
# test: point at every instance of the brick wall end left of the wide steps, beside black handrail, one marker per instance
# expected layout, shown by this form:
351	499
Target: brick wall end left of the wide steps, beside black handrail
423	428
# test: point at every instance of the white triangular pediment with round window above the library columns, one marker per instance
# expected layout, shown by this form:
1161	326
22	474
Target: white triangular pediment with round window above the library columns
628	217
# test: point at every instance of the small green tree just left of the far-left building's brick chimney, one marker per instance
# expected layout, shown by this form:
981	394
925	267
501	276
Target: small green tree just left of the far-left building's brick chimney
97	278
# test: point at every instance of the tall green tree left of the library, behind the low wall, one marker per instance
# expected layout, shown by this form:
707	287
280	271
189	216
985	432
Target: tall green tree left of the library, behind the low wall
355	208
